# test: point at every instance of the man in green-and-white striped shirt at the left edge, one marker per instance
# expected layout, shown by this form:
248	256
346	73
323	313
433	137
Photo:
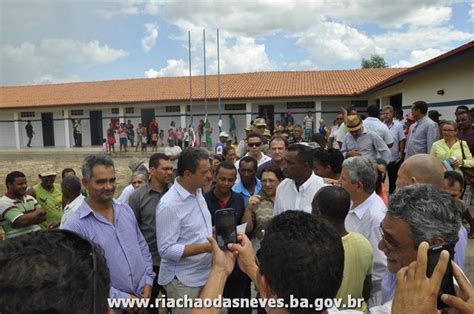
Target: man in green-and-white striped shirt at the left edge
19	213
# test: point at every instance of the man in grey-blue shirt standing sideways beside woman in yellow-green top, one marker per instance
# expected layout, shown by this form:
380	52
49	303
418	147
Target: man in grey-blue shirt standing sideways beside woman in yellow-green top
423	133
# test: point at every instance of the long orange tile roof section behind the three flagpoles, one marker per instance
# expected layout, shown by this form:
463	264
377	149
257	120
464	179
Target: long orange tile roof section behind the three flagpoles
243	86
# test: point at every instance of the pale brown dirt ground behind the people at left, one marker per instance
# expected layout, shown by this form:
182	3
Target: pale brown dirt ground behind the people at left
31	162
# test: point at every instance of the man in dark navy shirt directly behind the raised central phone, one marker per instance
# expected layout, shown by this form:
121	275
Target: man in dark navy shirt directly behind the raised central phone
219	197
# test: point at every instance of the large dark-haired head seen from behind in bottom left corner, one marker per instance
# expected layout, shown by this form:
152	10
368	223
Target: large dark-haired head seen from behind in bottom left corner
54	271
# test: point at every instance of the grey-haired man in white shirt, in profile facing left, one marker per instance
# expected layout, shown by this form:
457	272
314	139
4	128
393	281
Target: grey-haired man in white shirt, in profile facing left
358	178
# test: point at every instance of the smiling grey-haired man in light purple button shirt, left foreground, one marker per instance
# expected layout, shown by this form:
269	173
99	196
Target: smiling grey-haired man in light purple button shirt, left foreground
112	225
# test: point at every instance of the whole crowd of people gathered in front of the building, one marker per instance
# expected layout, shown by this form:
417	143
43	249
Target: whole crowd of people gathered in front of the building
317	222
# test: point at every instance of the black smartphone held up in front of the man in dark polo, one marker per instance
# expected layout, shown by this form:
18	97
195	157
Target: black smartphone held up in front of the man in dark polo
226	228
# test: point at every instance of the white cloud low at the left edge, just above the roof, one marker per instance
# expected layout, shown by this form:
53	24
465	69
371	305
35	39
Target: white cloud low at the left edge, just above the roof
52	60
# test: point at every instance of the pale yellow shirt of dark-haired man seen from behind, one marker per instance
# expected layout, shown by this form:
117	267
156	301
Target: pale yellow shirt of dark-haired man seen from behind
358	261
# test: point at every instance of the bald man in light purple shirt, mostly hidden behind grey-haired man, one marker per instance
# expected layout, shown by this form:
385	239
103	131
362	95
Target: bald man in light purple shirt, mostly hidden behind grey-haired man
422	168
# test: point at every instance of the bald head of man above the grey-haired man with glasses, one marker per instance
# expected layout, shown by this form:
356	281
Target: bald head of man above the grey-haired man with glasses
421	168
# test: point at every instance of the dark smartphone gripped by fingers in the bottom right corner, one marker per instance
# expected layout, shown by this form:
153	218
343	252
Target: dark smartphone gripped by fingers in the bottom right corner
447	284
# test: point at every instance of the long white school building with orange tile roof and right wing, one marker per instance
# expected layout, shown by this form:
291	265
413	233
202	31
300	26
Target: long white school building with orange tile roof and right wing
444	82
